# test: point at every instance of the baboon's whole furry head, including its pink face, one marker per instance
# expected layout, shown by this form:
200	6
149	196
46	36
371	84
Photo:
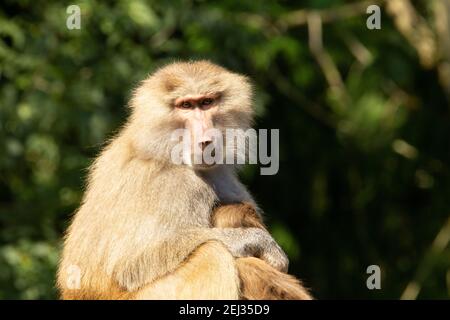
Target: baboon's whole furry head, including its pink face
201	98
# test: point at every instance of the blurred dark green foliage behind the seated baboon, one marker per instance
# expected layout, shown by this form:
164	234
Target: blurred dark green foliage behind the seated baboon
363	116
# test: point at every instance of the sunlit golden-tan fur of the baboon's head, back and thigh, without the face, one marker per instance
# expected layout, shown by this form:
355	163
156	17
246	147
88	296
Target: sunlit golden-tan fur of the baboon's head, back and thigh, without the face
143	230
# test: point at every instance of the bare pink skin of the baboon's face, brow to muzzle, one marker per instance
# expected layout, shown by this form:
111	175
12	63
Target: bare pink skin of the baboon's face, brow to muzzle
197	111
